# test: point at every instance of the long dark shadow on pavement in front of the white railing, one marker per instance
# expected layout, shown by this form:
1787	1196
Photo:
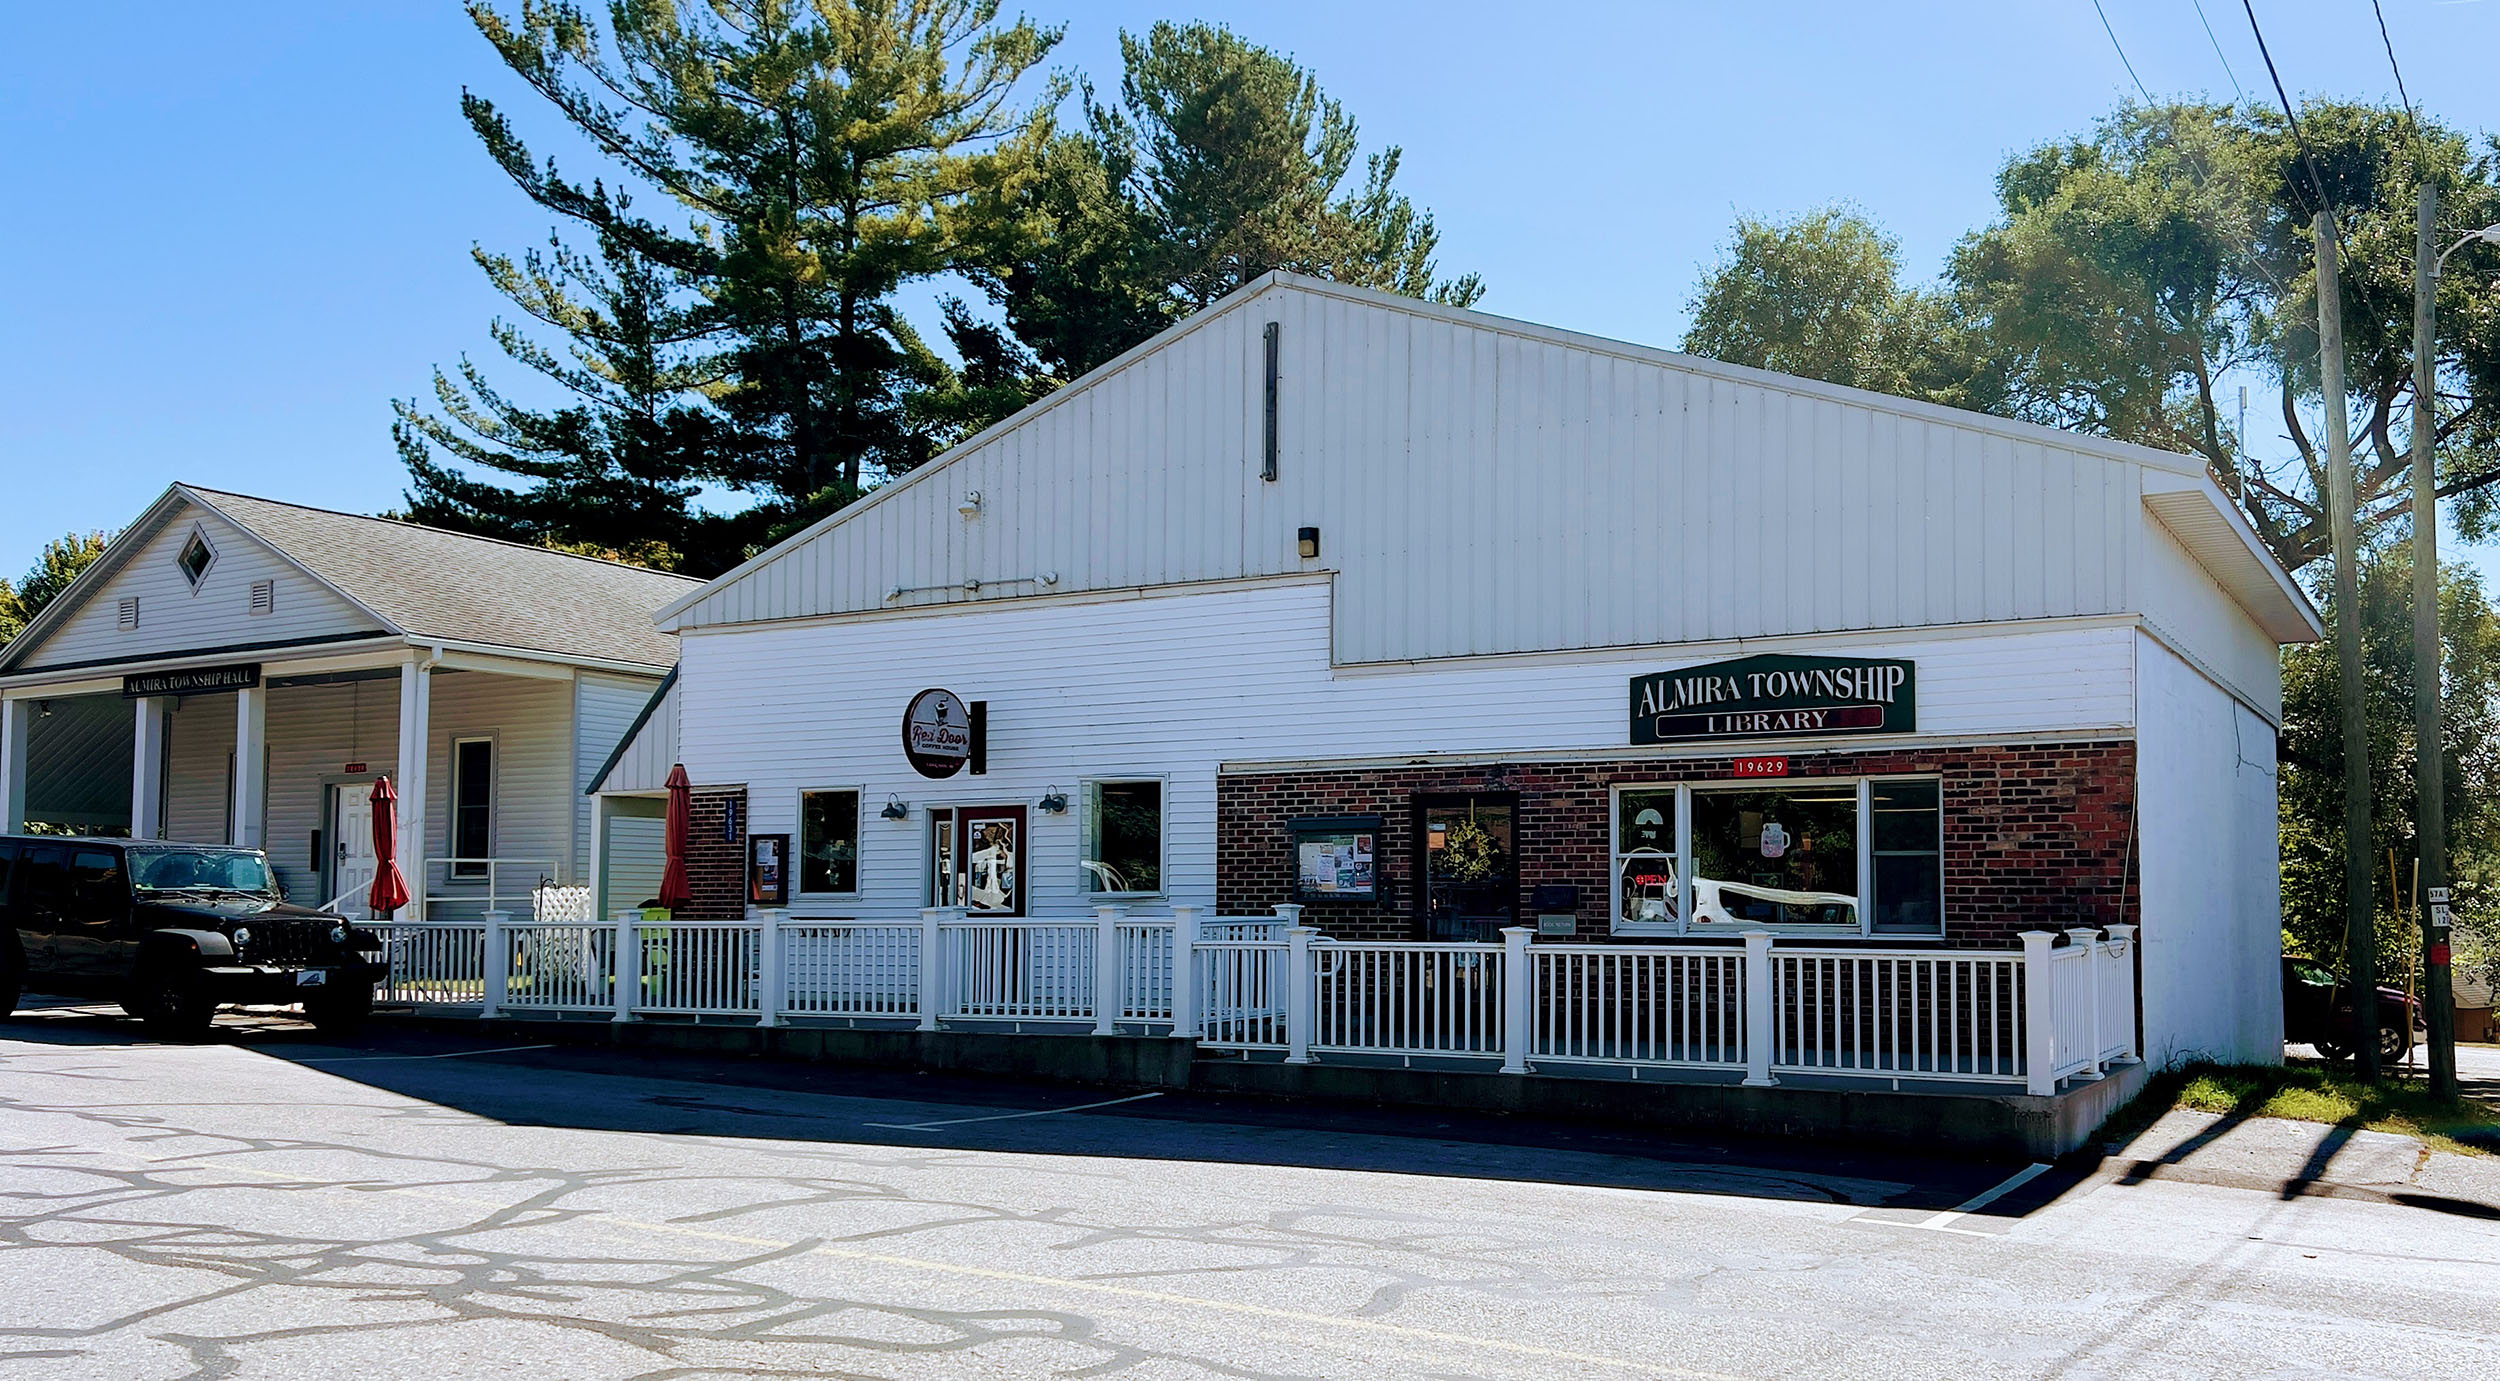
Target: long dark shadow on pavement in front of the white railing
676	1095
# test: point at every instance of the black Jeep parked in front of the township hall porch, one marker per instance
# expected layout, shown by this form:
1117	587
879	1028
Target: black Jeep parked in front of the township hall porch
171	932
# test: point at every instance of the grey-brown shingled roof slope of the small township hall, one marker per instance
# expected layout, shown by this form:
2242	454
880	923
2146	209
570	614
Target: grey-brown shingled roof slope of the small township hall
439	584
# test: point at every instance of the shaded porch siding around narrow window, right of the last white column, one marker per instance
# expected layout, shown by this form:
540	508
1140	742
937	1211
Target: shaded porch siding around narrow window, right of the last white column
531	724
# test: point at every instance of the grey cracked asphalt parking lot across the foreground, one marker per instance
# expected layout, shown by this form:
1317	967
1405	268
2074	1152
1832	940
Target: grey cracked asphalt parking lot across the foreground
424	1205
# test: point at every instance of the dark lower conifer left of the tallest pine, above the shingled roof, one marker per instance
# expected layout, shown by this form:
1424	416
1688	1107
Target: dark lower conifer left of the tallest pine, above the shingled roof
619	467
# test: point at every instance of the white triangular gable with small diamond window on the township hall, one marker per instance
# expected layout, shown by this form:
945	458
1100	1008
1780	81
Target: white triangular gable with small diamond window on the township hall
216	614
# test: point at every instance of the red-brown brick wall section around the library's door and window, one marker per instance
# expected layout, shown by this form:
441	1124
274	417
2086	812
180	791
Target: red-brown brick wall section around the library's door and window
2036	834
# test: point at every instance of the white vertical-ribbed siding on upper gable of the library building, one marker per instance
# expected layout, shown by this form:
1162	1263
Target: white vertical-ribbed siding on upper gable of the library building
1486	487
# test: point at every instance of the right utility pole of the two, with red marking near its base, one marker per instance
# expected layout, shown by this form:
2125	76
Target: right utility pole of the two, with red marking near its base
2431	817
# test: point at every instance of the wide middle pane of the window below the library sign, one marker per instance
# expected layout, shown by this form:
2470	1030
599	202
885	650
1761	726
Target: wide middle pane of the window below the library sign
1784	857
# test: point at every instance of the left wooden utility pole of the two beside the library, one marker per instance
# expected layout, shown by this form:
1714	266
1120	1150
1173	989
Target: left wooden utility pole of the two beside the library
2361	907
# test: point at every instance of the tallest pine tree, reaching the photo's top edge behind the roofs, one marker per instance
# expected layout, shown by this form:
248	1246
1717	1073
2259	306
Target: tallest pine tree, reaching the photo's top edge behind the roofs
826	156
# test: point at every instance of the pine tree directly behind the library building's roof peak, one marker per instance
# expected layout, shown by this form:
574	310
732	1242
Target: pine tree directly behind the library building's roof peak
1221	161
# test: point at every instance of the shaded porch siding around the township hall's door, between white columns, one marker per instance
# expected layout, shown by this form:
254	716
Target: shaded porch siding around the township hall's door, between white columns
314	734
